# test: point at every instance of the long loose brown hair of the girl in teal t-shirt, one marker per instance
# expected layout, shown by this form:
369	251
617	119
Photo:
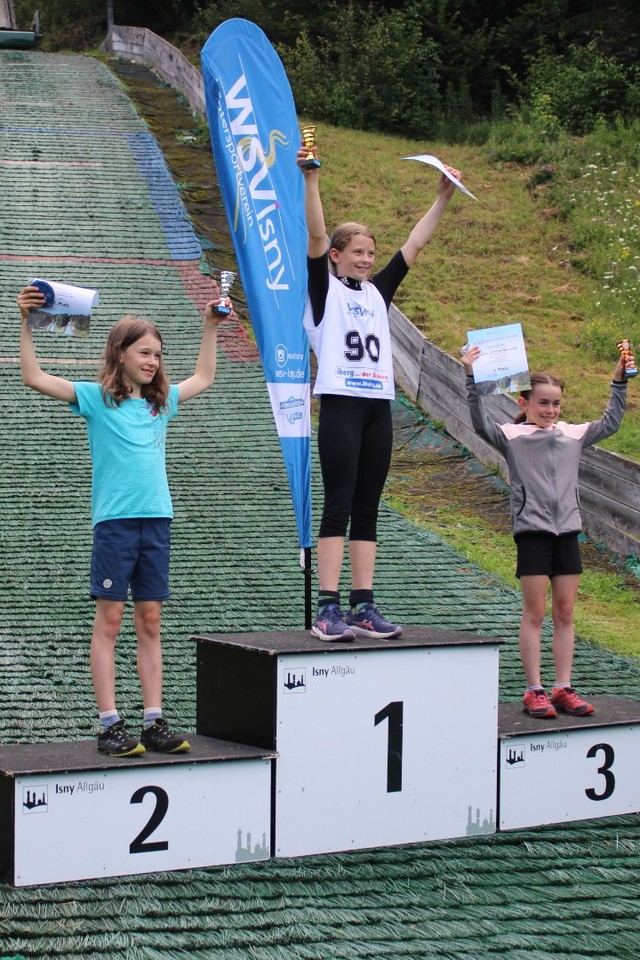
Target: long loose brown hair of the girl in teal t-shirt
114	387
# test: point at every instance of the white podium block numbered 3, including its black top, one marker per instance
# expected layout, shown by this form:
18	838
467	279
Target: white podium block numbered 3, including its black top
569	768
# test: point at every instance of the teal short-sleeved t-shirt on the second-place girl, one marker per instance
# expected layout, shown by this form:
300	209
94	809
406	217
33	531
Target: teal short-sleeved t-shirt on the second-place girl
127	445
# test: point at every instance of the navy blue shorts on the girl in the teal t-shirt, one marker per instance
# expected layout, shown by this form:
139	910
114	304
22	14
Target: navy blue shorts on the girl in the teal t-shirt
131	553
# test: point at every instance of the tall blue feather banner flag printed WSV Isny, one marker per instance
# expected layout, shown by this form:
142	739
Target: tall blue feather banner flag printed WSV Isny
255	138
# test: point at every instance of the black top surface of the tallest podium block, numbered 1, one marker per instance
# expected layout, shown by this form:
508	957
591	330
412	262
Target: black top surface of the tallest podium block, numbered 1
301	641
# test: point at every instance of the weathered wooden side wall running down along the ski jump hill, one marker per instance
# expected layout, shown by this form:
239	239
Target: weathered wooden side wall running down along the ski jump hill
609	484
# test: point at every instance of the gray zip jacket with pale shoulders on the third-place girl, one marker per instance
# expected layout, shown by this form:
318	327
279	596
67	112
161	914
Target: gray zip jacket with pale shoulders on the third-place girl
543	463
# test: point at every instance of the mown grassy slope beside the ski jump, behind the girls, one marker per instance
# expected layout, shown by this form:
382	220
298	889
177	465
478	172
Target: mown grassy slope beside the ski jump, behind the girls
500	260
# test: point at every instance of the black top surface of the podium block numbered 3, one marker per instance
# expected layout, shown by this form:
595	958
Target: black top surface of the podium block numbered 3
609	712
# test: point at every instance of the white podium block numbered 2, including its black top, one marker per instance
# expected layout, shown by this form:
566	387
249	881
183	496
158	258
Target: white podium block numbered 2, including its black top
68	812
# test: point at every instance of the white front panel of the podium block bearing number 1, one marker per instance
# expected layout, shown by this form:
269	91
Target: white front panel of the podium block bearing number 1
370	755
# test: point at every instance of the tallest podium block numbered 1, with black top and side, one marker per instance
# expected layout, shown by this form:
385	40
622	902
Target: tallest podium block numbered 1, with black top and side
373	746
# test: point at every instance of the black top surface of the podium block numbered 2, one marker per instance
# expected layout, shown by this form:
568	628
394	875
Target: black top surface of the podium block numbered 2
24	759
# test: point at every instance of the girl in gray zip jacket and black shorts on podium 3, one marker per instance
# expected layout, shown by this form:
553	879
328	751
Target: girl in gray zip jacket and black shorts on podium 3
543	456
